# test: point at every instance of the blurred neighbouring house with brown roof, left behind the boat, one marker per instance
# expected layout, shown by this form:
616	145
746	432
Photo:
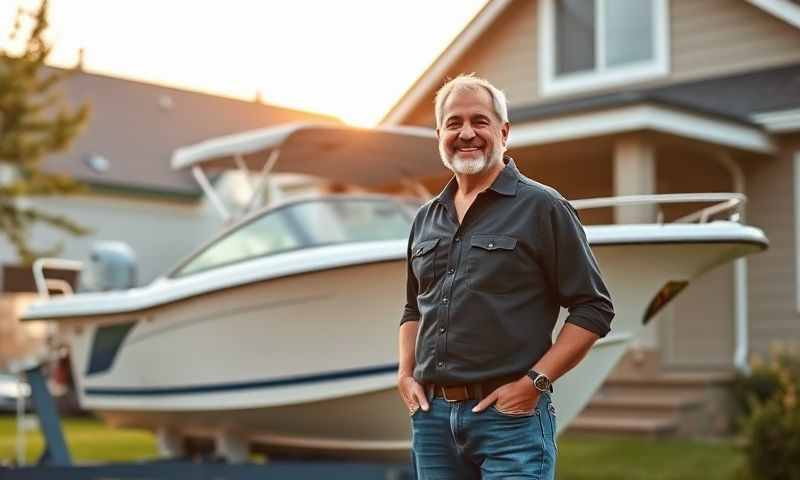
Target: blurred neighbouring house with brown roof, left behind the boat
123	156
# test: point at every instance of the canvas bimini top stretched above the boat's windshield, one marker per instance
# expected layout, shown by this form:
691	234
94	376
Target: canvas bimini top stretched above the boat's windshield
366	157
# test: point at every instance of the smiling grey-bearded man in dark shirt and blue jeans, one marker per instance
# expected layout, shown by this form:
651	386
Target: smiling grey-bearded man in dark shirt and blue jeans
490	261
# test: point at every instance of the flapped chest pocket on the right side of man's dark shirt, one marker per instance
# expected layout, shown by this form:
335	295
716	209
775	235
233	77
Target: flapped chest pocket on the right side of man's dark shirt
494	264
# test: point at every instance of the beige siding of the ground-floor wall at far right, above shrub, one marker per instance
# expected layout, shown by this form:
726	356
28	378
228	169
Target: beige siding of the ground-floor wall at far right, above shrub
771	274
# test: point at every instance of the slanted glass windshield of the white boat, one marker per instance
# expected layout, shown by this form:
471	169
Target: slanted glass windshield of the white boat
306	224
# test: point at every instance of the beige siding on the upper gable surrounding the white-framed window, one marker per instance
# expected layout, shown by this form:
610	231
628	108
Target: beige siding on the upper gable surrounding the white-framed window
707	38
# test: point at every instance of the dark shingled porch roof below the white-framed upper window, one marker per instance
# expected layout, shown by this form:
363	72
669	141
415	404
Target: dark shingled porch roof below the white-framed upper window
735	97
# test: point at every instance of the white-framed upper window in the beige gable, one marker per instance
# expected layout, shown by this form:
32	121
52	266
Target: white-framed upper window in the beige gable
588	44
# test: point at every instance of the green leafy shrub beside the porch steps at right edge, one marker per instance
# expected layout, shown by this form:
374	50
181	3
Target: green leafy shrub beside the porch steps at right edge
772	426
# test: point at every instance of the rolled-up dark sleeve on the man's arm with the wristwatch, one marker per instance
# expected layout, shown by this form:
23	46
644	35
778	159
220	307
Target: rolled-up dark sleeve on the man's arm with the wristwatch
572	270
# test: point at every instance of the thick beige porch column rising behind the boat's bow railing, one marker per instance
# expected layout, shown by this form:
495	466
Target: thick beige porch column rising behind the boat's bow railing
634	174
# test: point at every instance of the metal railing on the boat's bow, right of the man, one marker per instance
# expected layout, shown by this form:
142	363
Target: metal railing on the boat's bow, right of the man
722	203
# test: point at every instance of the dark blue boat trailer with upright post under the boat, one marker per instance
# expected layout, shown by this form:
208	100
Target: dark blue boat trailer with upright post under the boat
56	463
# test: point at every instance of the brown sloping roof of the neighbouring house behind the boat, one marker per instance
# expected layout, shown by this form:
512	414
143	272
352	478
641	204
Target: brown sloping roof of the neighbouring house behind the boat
134	127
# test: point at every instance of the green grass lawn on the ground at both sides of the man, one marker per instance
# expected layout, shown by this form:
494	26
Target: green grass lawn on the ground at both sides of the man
580	458
